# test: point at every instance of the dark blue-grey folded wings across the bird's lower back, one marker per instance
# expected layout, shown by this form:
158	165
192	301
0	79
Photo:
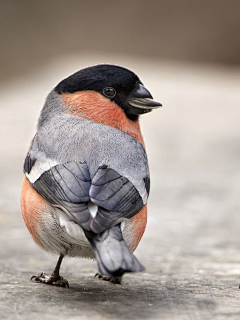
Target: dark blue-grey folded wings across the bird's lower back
70	187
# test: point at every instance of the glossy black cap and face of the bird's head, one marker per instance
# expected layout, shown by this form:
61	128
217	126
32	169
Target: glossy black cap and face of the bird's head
114	82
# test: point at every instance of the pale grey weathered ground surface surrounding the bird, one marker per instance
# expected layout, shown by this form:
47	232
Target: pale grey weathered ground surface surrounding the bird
191	248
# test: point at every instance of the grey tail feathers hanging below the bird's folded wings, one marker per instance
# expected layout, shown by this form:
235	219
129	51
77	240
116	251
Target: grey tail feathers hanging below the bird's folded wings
113	256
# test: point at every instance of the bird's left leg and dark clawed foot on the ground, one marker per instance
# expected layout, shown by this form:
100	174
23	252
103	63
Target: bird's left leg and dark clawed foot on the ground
55	278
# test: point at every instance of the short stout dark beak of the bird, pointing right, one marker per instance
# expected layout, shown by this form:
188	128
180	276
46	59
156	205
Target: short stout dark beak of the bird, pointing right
141	101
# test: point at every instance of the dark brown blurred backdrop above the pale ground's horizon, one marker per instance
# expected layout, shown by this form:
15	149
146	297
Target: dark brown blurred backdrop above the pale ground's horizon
34	33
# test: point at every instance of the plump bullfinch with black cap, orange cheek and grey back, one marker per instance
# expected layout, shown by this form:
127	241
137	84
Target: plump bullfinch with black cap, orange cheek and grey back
86	175
